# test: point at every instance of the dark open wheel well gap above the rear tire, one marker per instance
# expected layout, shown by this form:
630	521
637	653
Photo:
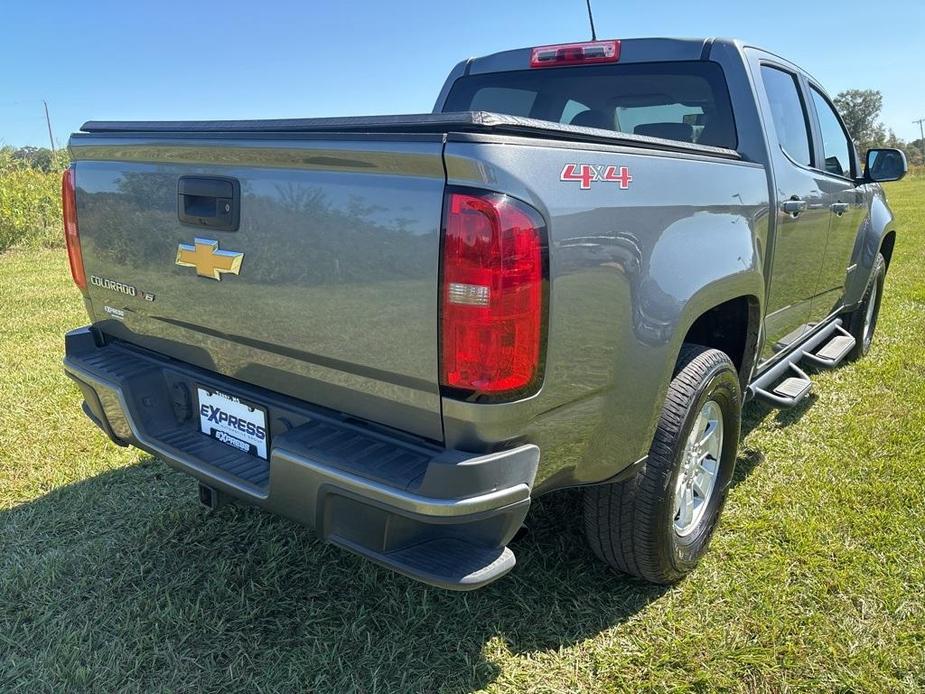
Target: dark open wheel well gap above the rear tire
731	327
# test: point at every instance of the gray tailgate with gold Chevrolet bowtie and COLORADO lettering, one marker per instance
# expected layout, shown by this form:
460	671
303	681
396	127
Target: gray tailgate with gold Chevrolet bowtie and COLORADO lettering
335	300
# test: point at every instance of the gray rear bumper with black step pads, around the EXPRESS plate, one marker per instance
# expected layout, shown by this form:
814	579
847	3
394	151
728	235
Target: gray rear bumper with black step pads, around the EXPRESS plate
437	515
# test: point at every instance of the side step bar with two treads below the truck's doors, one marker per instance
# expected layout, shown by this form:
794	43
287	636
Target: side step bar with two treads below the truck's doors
776	387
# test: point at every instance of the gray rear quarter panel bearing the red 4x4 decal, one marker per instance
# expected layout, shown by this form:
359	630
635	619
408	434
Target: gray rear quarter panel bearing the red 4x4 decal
630	271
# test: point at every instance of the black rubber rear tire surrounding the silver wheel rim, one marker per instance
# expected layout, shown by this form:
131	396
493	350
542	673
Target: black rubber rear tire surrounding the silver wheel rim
631	524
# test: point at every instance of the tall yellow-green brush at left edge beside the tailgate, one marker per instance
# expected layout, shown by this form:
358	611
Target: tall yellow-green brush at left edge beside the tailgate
30	208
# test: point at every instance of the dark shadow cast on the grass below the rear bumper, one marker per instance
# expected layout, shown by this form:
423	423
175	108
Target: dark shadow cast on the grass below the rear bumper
167	595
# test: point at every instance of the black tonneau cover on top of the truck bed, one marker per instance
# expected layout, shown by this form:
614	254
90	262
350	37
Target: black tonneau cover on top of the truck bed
466	121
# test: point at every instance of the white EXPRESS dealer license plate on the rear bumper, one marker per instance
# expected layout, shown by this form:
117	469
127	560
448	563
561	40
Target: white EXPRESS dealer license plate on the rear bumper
232	421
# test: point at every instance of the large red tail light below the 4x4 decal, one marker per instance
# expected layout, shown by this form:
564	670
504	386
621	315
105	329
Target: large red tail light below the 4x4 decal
492	294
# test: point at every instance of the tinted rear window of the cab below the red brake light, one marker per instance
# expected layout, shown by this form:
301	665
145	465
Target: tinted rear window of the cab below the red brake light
685	101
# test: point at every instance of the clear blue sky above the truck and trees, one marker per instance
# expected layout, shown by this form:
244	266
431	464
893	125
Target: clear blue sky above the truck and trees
272	59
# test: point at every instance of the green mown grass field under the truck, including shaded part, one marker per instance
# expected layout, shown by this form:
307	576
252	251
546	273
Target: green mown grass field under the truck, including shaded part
113	578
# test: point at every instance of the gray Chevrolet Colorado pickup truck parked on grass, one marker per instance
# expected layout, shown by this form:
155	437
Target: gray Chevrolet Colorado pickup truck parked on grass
399	330
